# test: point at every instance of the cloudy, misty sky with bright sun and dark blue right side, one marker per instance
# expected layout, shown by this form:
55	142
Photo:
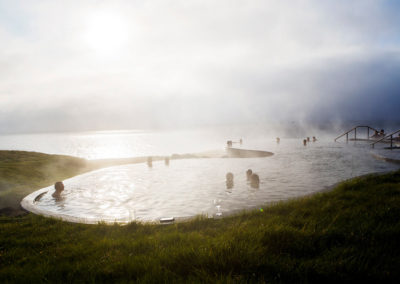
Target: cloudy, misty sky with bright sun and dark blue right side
81	65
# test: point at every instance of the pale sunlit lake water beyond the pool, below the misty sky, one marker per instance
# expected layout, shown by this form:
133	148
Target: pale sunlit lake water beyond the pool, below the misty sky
134	143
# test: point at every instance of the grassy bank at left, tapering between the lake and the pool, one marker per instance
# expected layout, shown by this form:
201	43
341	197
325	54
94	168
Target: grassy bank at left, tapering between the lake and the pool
24	172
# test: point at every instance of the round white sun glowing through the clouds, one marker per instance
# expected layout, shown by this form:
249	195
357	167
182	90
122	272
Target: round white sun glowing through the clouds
106	32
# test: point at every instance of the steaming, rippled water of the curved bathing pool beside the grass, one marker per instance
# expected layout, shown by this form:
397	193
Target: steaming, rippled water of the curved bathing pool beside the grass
191	187
